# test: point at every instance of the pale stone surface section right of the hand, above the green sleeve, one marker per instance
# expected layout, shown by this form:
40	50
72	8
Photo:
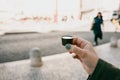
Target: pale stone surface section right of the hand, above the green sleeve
110	54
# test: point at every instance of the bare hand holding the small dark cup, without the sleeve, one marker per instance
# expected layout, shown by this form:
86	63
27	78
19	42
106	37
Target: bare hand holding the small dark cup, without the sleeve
84	52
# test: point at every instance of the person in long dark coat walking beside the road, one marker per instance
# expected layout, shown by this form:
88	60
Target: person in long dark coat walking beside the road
96	27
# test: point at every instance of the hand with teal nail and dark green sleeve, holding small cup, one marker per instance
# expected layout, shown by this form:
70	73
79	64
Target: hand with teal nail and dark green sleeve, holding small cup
96	68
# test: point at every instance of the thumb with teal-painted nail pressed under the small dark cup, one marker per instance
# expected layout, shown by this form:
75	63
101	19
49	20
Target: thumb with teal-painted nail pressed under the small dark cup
75	49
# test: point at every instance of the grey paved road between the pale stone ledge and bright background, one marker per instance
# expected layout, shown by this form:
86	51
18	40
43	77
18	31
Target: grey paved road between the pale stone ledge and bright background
17	46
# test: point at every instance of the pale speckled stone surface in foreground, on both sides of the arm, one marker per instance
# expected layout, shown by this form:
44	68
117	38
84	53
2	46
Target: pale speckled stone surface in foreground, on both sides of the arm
56	67
